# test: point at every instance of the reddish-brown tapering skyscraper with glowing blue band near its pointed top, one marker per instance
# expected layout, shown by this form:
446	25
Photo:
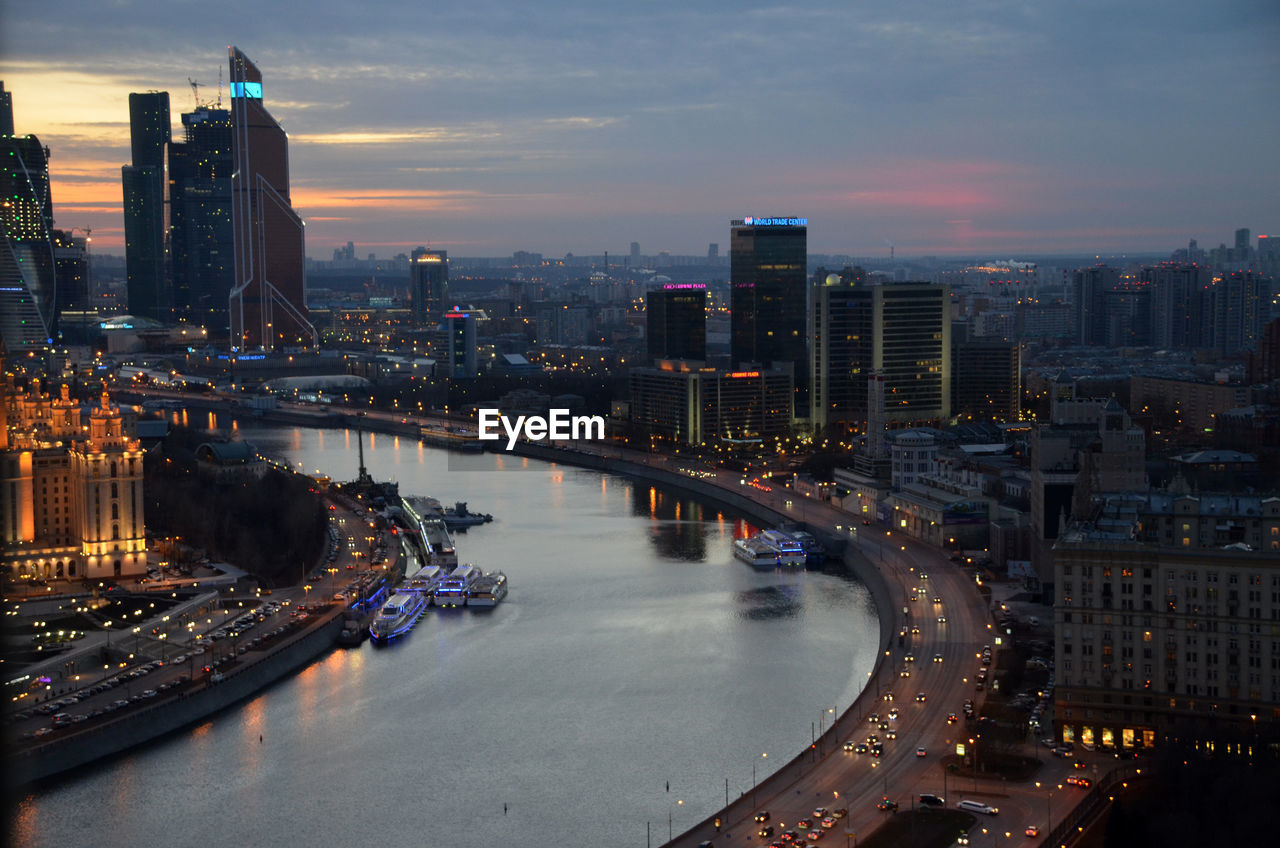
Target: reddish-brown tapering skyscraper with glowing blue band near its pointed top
268	303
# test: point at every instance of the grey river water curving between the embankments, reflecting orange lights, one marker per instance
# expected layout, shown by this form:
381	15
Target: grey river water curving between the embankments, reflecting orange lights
634	654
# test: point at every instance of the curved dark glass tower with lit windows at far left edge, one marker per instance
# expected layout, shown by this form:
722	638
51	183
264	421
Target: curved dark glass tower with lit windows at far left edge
28	281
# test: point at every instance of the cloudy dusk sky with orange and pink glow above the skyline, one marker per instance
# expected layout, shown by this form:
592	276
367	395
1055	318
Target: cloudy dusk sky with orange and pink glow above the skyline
563	126
